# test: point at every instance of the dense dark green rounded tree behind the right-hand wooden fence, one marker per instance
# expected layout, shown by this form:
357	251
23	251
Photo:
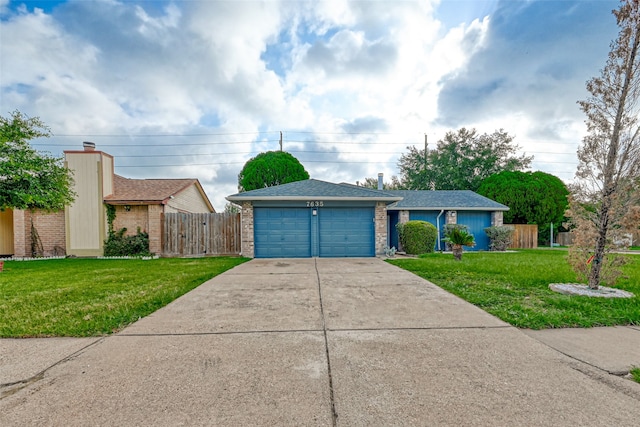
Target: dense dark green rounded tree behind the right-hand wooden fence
533	198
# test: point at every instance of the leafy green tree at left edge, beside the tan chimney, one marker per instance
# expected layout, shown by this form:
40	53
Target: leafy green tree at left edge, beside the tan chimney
30	179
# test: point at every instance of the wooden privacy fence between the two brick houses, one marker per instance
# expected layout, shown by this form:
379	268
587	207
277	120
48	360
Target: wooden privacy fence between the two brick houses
189	234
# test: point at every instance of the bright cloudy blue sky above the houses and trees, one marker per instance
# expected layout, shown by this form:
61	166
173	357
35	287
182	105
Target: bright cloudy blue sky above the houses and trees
177	89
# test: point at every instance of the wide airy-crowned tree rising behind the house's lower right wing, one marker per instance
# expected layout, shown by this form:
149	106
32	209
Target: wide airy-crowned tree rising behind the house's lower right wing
461	161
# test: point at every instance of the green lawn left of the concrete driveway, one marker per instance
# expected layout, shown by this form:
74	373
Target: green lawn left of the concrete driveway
89	297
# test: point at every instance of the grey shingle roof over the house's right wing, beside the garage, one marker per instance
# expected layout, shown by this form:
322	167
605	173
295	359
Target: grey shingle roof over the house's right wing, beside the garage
443	199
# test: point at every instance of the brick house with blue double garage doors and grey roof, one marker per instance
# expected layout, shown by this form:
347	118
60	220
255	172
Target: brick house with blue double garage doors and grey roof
316	218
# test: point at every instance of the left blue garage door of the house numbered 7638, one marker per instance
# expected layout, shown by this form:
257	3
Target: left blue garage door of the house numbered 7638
282	232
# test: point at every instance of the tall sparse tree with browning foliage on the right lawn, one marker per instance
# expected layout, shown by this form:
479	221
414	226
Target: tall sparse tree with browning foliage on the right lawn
605	193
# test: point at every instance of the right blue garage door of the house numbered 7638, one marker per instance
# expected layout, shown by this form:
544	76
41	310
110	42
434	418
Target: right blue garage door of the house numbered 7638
346	232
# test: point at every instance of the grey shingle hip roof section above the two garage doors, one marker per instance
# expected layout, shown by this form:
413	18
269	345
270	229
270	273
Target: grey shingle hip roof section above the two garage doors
313	188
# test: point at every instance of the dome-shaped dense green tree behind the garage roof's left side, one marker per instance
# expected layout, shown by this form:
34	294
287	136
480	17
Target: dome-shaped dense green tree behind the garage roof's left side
269	169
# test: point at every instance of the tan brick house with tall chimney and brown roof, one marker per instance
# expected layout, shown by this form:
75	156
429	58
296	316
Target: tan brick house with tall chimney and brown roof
81	228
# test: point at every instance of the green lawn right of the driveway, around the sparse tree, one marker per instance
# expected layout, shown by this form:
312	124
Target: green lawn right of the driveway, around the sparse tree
515	288
